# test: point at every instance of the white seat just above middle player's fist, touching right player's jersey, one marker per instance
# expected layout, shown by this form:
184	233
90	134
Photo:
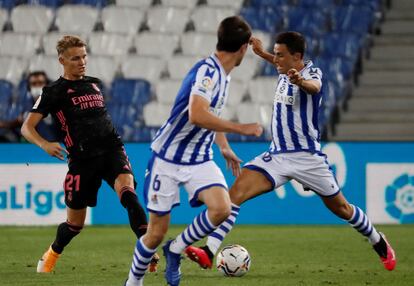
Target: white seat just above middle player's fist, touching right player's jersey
249	112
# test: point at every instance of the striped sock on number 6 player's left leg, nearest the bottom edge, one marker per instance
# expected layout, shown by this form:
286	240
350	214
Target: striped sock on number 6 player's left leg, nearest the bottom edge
141	259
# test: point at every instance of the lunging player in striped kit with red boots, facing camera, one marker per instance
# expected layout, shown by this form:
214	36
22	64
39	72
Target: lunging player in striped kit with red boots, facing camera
295	151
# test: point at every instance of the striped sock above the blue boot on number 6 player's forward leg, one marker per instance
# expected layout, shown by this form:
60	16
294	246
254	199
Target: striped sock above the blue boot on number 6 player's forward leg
197	230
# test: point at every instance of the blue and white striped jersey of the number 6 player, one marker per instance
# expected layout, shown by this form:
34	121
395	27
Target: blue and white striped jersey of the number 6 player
178	140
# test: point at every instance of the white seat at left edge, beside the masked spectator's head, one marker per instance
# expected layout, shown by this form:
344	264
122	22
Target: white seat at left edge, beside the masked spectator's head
12	68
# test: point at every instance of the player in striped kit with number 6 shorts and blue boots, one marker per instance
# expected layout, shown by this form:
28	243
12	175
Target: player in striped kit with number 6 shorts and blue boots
182	154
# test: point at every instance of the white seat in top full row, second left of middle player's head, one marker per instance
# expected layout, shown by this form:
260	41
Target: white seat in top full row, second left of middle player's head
174	19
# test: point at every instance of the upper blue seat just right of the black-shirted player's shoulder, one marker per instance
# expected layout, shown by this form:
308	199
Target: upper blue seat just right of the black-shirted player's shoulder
130	92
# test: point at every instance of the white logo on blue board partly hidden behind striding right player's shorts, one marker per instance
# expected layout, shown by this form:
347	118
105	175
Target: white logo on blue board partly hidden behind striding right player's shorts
336	159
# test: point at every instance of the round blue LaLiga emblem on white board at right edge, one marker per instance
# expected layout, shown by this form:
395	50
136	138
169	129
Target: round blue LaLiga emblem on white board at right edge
399	198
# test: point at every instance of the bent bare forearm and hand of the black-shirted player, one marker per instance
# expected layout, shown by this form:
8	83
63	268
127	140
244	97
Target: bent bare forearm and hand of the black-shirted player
29	132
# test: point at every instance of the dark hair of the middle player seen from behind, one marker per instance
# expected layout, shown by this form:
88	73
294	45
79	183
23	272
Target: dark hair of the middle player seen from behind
232	33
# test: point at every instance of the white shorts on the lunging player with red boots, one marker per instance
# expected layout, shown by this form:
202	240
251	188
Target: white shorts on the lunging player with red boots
311	170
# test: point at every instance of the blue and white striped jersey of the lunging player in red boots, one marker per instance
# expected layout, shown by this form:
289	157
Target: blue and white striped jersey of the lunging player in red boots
295	115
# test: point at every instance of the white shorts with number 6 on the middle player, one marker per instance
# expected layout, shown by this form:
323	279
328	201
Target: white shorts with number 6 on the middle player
163	181
